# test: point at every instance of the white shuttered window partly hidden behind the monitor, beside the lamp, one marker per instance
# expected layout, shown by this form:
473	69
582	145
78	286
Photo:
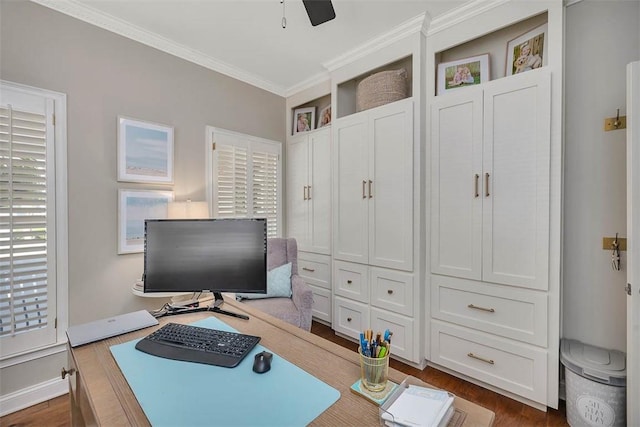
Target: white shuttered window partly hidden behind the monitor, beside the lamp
246	178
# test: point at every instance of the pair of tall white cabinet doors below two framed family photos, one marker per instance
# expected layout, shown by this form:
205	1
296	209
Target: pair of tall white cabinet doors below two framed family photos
490	182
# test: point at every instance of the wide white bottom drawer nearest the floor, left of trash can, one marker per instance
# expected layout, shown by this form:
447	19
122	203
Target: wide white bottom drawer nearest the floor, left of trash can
506	364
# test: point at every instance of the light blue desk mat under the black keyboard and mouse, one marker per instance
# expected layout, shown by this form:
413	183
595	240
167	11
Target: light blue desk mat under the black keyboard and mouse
176	393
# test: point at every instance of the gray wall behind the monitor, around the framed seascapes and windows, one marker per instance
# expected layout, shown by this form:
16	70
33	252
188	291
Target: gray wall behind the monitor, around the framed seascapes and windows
105	75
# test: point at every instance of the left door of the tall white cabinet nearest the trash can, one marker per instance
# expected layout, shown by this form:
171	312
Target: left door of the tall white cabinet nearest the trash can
456	201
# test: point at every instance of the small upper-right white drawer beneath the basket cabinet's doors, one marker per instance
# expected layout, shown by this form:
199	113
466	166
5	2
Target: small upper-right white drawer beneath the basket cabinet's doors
392	290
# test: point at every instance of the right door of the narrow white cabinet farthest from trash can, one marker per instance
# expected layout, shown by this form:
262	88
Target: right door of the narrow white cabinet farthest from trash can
319	191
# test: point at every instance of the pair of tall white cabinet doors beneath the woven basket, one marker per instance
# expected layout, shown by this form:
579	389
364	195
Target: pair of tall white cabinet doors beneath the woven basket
373	185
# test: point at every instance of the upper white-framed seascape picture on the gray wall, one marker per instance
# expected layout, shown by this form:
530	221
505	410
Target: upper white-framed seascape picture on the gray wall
145	152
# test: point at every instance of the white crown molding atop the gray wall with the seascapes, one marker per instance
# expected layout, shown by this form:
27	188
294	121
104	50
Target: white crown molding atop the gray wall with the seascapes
125	29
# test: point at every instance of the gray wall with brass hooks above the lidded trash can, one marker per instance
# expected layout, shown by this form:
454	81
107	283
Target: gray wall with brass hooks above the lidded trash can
601	38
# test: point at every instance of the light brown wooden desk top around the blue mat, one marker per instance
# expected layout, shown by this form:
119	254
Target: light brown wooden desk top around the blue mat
100	394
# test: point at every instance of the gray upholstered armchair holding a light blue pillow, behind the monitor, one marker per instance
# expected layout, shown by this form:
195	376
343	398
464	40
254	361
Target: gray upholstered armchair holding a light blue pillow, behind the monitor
296	309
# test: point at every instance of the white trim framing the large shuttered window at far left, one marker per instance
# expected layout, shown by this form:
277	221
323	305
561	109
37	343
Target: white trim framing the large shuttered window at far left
61	227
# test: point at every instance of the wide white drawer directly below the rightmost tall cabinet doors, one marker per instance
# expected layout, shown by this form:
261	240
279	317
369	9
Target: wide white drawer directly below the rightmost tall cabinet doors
500	310
